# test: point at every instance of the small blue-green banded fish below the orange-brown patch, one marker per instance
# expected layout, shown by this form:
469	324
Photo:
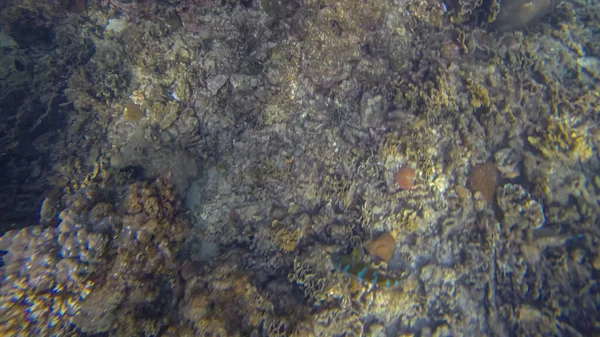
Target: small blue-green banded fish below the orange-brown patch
352	266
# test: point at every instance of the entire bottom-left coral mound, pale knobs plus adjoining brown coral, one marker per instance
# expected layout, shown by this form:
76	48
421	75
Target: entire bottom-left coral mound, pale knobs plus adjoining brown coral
119	250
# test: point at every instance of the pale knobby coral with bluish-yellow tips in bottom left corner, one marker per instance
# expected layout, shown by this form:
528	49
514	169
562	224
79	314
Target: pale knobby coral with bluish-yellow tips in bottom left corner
46	276
